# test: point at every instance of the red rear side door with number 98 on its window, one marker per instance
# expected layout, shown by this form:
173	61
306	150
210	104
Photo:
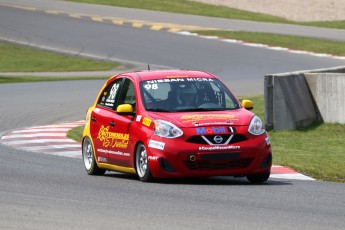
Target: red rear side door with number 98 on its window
103	120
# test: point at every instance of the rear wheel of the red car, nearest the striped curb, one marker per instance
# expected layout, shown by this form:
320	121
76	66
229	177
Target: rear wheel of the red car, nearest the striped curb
89	158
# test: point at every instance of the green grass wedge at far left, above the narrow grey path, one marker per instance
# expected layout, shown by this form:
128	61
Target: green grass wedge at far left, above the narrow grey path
15	58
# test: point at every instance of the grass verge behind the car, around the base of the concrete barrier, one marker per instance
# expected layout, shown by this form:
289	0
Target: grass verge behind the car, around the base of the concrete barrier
316	151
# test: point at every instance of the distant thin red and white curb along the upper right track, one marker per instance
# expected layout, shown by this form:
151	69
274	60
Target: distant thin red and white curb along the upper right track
234	41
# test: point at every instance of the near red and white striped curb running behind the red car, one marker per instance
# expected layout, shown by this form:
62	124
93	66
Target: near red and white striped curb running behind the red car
52	139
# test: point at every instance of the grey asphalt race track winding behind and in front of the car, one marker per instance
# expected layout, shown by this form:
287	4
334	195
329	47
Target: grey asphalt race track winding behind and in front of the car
40	191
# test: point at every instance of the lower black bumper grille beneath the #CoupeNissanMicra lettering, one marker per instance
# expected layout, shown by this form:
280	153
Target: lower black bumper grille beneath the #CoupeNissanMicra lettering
214	165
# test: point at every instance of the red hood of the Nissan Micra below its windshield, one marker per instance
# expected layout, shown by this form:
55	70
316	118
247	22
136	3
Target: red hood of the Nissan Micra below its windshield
192	119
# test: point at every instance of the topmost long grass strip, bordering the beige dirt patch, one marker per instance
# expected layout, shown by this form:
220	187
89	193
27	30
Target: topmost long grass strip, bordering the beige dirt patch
197	8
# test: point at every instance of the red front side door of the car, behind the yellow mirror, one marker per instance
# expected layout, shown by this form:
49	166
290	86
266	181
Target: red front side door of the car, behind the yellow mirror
120	151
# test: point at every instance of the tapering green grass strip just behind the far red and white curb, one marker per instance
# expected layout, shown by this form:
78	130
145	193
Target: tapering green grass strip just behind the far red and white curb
292	42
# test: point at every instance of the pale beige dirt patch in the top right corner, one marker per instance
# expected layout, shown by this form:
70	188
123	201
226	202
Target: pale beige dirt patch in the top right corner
296	10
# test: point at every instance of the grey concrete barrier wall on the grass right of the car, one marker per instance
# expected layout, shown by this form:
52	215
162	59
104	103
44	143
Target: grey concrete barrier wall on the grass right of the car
295	100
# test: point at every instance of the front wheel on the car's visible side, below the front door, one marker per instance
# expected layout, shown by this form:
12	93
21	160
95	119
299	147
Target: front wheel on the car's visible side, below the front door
141	164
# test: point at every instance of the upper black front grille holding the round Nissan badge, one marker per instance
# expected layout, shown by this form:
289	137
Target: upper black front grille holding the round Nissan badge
200	140
